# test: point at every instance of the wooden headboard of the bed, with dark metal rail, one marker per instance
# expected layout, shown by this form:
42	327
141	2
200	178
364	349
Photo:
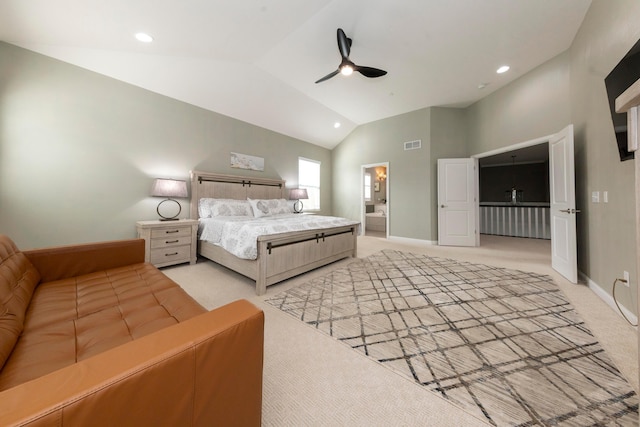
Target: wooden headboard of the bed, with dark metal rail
220	186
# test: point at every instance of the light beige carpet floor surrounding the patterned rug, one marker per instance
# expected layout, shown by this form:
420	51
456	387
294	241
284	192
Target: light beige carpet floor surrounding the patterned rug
310	379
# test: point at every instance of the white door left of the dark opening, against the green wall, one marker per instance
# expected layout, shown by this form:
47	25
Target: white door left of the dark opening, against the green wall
457	202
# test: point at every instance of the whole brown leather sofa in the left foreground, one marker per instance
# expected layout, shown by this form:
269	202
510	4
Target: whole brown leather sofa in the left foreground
92	335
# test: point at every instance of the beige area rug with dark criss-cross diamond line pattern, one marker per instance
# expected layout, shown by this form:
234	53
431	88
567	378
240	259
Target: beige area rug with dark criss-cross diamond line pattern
503	344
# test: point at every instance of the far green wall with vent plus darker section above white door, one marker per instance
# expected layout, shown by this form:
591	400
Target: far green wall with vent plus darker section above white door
412	174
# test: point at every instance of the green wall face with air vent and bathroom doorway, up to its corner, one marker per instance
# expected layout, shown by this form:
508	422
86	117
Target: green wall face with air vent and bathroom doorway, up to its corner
409	174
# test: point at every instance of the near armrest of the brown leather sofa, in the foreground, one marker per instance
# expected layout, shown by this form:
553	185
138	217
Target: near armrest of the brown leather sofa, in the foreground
201	372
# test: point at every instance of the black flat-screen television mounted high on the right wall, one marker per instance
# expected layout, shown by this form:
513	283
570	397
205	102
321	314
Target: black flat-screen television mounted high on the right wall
619	79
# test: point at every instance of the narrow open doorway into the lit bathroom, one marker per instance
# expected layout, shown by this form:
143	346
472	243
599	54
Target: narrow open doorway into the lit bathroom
375	211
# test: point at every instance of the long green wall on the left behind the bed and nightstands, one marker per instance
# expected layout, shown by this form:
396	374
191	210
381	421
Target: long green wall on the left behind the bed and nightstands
79	151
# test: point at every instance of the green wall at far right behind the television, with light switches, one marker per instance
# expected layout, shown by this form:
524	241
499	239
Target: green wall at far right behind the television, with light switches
606	236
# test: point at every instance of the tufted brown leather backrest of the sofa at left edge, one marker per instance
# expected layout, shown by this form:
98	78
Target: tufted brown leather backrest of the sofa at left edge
18	279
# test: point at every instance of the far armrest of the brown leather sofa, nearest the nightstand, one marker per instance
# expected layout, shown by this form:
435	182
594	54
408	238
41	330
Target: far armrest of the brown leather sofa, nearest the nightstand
61	262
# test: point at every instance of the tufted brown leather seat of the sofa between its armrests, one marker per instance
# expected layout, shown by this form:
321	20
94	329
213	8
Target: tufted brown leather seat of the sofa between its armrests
72	319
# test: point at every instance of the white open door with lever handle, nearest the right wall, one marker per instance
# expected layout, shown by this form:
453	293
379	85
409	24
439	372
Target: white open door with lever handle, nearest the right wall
564	256
